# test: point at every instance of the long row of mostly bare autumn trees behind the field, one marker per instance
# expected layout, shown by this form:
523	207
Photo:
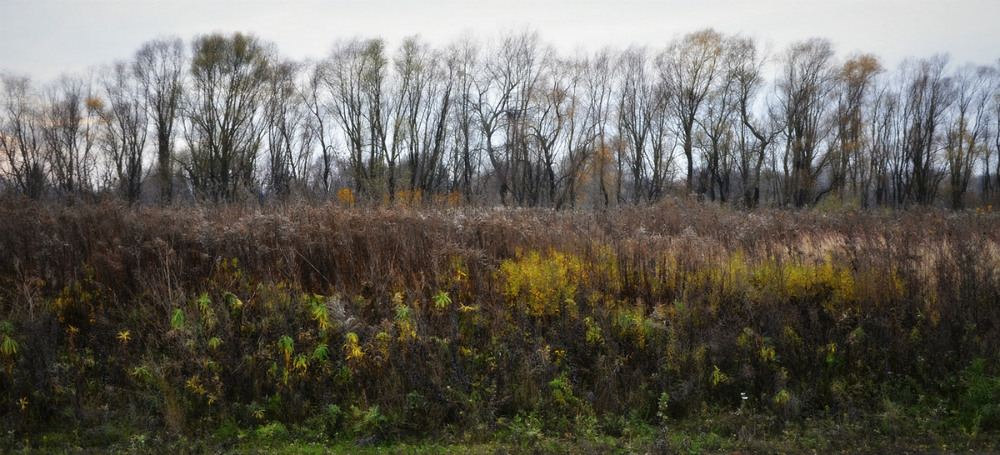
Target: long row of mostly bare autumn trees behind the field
509	121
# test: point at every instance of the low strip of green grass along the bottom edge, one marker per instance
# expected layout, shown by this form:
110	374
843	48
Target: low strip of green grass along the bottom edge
715	432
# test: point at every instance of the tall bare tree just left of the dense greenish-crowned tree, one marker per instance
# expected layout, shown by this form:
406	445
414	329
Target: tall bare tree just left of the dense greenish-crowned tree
159	70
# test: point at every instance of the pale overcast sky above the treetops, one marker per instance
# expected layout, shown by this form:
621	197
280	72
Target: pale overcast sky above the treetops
45	38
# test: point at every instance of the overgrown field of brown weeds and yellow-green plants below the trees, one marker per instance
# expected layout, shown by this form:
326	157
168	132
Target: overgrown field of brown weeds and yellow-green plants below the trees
676	327
